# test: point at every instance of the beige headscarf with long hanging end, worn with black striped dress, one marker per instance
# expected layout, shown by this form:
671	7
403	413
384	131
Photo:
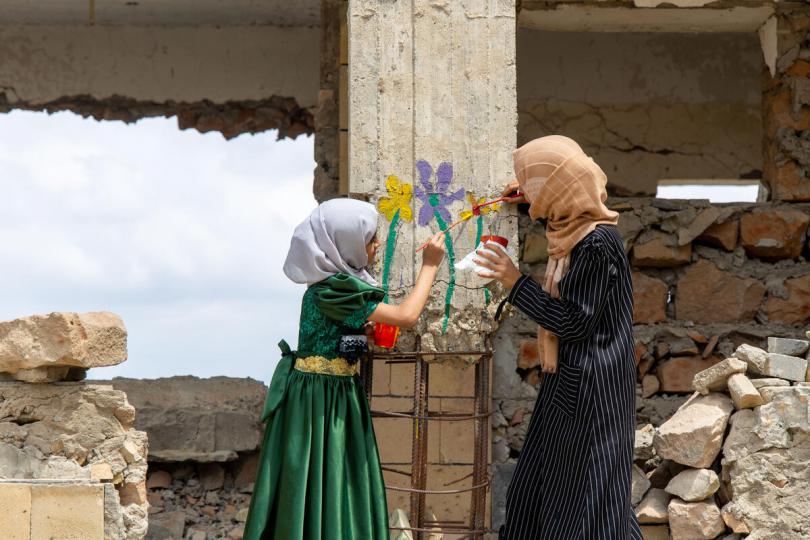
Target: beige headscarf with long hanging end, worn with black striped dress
568	189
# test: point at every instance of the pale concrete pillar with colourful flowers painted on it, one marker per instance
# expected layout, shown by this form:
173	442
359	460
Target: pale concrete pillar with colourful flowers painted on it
431	98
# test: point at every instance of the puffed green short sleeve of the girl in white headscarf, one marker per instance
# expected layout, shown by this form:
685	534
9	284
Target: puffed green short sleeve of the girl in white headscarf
346	299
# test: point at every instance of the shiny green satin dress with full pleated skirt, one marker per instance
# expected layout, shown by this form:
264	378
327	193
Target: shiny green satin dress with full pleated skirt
319	473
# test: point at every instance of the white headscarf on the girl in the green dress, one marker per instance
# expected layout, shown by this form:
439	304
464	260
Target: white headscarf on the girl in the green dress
332	240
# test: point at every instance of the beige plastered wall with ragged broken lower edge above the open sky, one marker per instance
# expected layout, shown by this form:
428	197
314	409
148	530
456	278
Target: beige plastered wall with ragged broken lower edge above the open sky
232	79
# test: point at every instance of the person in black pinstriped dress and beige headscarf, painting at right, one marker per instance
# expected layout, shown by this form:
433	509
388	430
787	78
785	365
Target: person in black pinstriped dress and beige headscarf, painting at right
572	480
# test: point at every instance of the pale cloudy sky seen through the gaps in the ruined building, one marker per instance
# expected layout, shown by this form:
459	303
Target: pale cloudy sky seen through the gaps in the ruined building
180	233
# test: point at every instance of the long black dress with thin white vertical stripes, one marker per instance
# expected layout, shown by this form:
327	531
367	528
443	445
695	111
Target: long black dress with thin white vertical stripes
572	480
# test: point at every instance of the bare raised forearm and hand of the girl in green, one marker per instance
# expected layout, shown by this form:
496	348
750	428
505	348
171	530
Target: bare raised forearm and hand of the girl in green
407	313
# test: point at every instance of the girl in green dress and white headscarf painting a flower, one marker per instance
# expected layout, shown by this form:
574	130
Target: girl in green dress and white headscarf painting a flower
319	473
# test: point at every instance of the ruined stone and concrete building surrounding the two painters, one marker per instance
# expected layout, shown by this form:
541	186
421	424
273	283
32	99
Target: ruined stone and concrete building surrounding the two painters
418	104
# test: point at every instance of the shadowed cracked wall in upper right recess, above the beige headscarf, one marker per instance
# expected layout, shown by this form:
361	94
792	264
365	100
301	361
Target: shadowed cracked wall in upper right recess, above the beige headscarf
646	106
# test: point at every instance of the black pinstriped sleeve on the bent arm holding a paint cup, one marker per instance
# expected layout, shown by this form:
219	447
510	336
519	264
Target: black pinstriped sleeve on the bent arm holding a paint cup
573	316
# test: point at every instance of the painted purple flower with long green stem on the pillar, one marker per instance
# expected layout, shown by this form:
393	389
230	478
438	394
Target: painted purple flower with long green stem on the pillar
435	200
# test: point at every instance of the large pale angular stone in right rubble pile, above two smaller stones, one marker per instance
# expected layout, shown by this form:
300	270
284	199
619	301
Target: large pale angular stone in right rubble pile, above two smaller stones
694	434
